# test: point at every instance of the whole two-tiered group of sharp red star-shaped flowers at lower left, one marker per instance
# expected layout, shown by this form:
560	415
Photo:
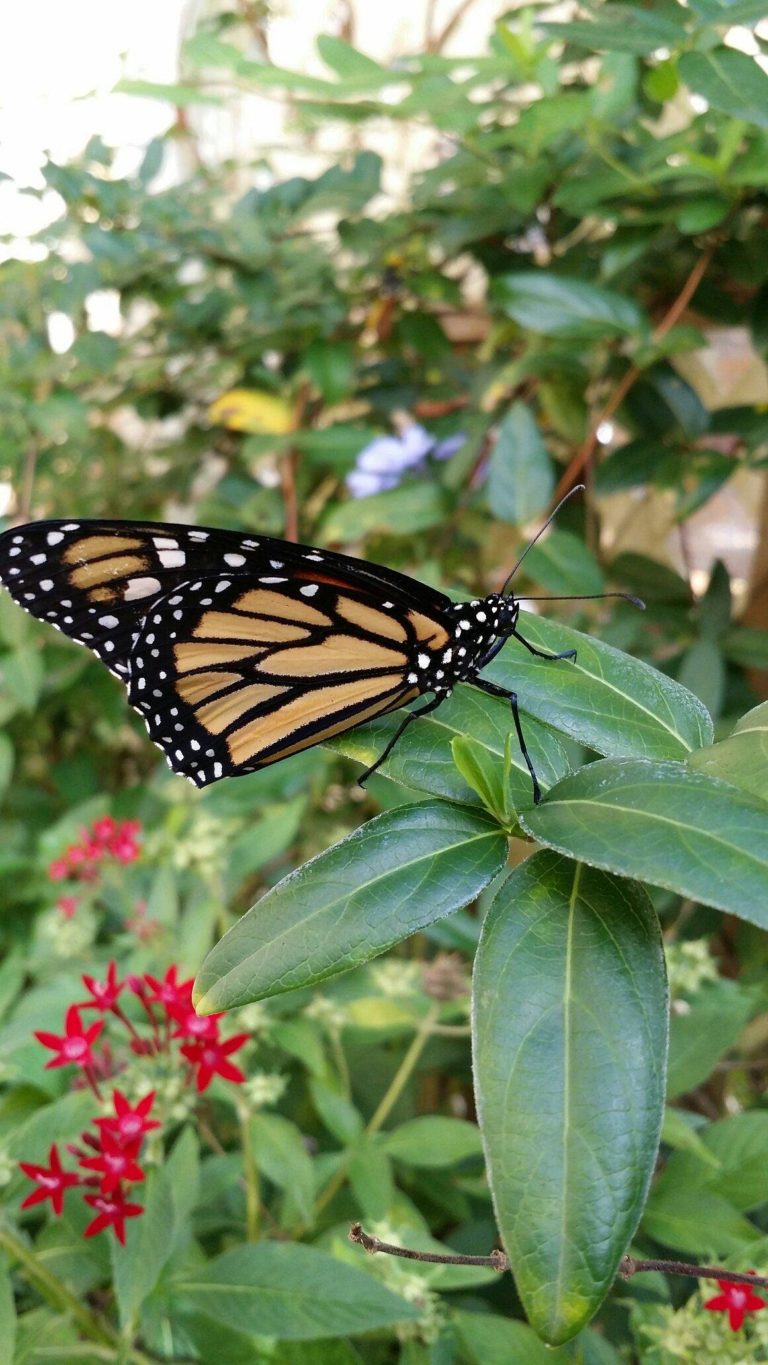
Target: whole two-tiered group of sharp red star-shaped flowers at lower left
153	1019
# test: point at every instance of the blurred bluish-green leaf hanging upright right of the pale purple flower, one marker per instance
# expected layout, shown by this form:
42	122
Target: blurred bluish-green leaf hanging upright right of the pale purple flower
520	474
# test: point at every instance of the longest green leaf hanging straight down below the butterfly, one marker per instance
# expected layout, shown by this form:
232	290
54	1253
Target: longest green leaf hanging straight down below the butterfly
570	1049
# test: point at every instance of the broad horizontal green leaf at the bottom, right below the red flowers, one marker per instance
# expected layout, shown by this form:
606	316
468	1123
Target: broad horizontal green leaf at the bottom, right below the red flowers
293	1293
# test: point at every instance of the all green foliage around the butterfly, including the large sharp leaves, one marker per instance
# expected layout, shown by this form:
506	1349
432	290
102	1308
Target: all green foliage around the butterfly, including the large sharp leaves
575	201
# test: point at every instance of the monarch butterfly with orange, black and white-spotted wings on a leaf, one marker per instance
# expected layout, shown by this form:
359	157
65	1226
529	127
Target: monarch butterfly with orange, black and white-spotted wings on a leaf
239	650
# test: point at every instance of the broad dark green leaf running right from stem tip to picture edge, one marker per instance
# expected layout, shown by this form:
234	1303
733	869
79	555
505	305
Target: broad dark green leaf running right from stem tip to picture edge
664	824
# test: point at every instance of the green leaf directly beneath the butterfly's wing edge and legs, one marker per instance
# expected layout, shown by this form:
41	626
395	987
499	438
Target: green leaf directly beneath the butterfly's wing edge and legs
424	758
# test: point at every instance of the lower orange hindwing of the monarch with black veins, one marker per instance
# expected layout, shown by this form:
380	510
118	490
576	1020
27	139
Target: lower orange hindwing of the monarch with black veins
233	682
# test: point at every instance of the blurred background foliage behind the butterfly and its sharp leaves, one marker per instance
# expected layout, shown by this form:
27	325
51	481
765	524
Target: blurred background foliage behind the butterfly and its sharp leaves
572	283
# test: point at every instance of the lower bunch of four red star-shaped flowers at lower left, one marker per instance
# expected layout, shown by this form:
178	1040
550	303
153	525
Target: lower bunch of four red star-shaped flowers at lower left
108	1165
